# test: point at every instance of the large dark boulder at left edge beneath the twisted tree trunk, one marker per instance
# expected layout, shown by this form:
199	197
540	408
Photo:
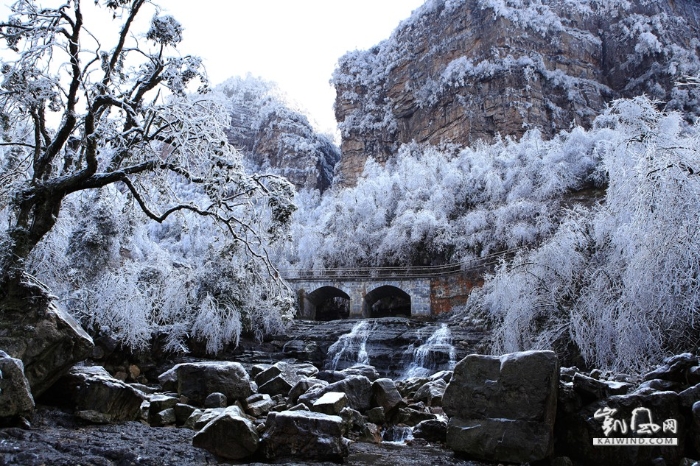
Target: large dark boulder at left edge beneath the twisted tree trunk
43	336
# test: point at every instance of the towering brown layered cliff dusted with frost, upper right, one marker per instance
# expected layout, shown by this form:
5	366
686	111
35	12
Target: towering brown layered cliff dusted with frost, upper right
458	71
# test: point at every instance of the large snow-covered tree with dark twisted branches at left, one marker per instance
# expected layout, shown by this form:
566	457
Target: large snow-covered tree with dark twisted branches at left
85	116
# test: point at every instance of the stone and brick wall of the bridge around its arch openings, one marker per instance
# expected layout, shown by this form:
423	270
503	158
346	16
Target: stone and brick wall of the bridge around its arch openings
428	295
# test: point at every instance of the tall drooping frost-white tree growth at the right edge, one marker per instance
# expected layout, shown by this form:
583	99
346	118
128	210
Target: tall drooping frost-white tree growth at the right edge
620	280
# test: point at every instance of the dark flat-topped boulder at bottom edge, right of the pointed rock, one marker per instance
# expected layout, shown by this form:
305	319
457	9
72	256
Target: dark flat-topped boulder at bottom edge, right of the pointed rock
304	435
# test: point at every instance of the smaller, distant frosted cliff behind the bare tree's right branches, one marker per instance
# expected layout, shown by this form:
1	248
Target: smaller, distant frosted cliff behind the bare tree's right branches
275	138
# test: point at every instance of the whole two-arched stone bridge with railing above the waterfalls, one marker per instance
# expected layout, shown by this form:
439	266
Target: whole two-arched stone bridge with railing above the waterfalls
386	291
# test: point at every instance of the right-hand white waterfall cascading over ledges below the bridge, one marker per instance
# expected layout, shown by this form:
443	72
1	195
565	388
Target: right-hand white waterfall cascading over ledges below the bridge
437	353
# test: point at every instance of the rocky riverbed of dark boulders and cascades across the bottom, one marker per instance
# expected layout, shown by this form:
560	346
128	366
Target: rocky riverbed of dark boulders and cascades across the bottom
425	402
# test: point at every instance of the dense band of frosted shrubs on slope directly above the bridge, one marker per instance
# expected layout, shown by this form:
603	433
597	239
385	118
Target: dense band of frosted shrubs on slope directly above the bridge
453	203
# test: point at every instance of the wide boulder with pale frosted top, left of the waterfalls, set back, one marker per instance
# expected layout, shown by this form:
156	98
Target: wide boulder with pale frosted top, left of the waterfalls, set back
197	380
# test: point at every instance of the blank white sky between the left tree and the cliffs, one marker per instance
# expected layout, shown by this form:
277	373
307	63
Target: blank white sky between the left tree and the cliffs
295	43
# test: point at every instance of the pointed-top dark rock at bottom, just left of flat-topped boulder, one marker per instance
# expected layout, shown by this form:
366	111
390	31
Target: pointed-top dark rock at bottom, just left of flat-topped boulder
228	436
